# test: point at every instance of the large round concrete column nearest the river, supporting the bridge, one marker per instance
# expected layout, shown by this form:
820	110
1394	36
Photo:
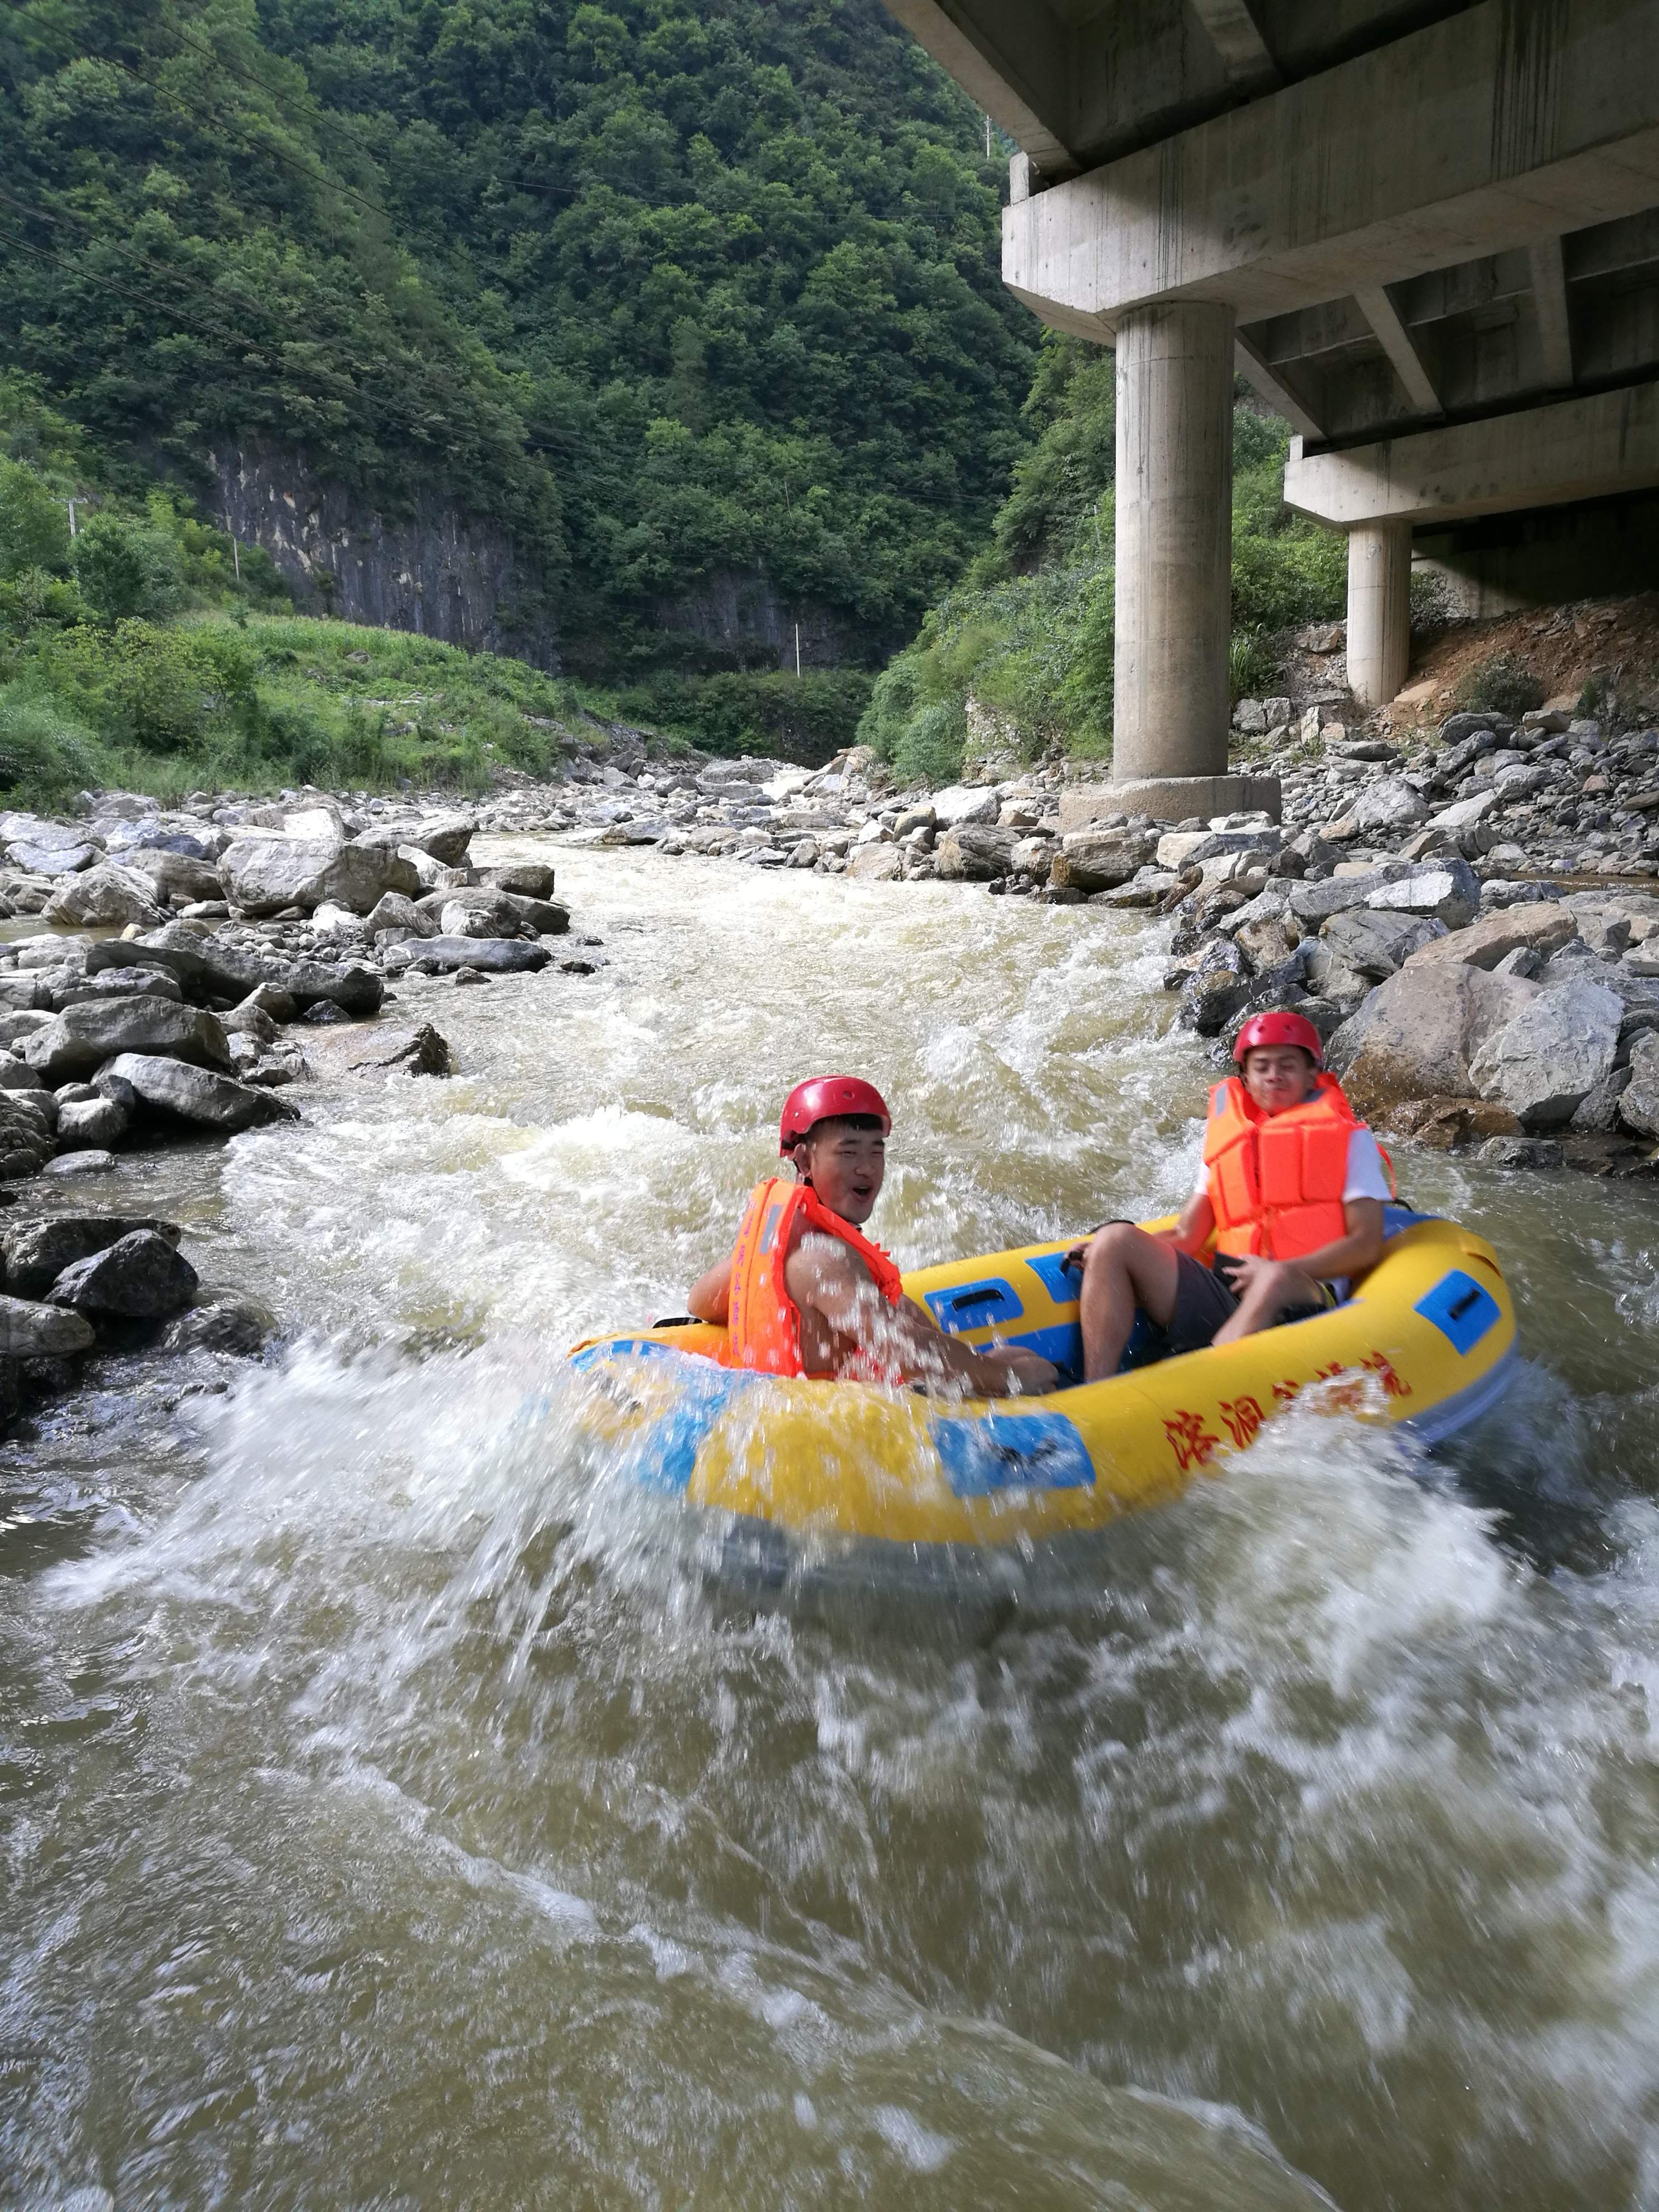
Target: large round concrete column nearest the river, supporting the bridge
1173	545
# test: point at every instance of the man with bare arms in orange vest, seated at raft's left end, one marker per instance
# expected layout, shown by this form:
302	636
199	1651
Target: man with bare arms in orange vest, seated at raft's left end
808	1295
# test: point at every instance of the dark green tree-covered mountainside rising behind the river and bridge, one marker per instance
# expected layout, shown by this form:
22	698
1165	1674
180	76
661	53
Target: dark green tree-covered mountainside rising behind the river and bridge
678	289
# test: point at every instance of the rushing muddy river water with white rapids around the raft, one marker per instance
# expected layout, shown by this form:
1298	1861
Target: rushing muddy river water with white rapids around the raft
388	1819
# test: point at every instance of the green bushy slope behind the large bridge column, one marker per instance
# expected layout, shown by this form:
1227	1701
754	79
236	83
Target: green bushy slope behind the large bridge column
1027	636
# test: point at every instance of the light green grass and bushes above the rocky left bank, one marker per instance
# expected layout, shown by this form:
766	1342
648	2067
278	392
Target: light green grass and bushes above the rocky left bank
145	654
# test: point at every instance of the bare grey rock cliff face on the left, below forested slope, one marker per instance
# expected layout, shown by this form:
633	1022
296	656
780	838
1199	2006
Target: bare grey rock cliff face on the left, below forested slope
435	572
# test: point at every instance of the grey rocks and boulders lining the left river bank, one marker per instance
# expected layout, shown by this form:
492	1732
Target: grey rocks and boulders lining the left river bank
180	966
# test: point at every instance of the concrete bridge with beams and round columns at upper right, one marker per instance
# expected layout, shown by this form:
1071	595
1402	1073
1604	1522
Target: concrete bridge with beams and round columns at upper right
1428	233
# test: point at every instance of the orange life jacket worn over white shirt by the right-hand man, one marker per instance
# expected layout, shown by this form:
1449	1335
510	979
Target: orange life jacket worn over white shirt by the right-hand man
1277	1180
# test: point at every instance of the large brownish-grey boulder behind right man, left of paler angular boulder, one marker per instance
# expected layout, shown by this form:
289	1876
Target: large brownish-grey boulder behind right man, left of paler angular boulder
1417	1034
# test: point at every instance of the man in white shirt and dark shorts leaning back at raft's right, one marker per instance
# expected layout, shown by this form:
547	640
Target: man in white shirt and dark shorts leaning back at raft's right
1293	1189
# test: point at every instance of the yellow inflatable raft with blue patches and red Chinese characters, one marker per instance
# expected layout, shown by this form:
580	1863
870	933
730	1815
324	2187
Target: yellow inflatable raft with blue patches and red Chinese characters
1426	1342
